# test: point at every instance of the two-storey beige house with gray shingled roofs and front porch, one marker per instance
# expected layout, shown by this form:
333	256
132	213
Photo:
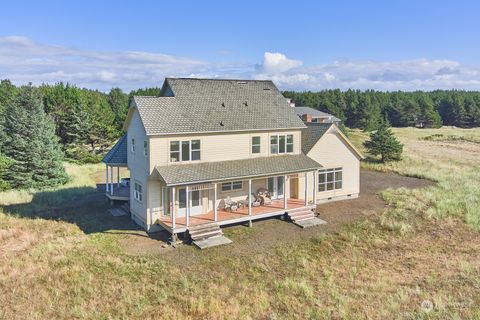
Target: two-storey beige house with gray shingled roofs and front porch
205	149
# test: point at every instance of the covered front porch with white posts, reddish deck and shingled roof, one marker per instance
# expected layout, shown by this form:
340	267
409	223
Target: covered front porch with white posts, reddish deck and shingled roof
182	202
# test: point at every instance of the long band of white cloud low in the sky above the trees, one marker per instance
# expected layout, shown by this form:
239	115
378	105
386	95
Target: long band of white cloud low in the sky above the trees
23	60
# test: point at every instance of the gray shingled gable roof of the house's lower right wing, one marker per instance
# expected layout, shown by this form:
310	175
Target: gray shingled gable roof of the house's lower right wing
315	131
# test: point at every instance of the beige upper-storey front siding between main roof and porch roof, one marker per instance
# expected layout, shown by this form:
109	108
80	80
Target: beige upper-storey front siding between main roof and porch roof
219	147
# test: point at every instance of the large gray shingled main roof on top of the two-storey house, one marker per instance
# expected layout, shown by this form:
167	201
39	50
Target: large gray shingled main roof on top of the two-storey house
211	105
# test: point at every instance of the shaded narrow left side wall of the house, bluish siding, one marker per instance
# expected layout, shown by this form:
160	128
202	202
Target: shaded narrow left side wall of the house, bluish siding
138	166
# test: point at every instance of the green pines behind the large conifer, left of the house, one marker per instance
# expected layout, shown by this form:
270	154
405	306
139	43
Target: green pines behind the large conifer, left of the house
86	121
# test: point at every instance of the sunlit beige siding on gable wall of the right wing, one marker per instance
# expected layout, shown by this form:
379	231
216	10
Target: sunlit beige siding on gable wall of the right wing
332	152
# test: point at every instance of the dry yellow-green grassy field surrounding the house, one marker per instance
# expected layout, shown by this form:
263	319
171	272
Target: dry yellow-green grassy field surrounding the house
418	258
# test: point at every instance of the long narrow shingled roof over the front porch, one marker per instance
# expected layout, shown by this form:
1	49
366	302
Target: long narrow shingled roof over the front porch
235	169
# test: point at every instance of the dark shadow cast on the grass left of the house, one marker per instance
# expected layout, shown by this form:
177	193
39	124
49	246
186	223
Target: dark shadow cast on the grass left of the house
84	206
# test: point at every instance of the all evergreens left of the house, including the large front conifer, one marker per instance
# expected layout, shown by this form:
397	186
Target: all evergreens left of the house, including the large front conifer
42	126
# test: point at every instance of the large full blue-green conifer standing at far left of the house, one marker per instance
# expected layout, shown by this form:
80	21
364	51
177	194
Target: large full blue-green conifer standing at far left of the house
32	144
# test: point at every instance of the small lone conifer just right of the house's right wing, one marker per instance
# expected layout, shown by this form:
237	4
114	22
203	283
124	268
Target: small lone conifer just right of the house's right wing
384	143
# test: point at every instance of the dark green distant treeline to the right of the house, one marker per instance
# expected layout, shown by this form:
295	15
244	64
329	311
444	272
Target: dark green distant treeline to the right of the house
365	109
